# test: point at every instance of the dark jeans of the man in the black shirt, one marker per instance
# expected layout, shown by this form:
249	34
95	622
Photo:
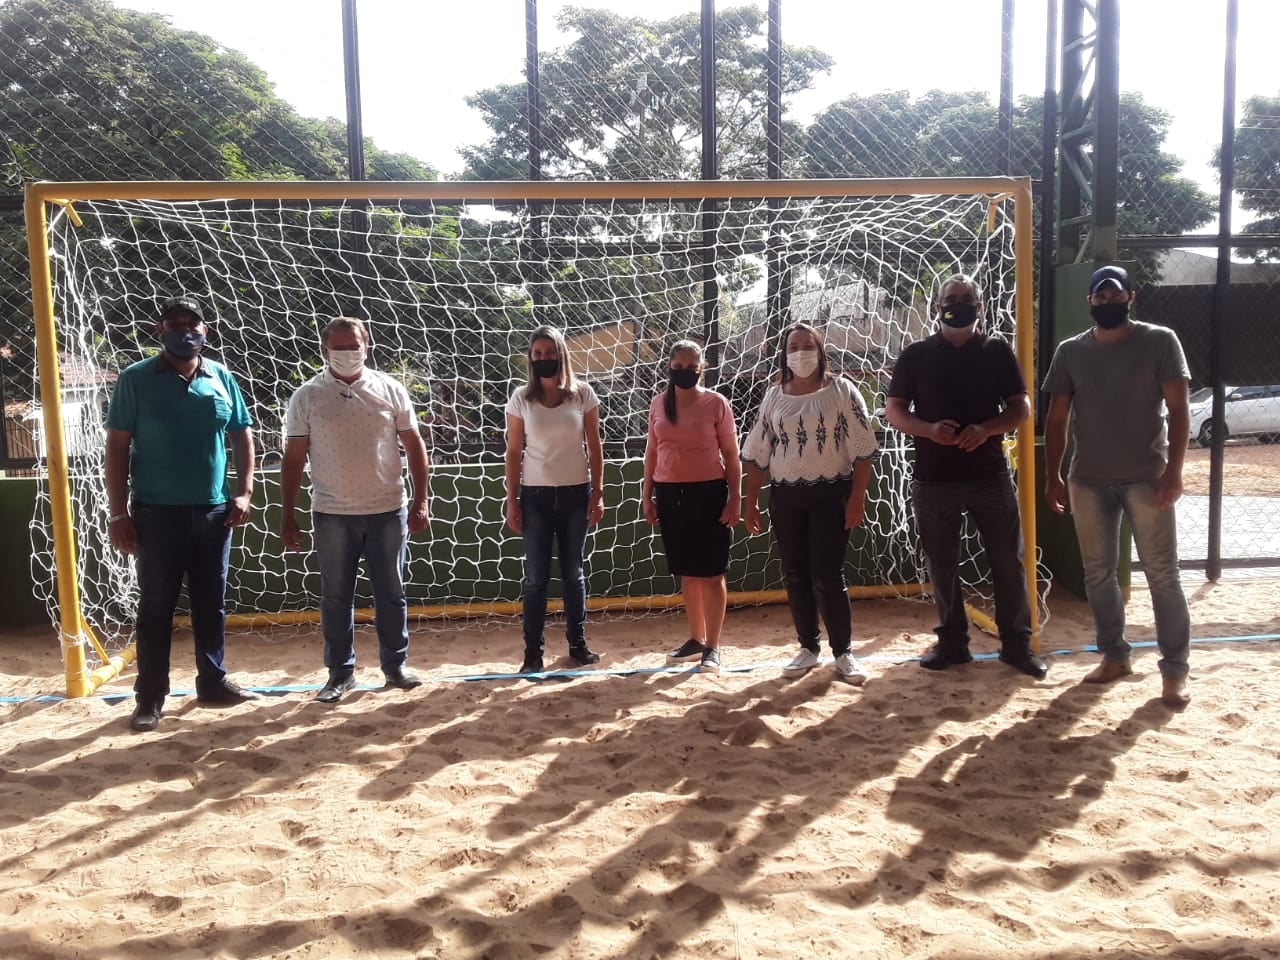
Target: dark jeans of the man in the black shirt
993	506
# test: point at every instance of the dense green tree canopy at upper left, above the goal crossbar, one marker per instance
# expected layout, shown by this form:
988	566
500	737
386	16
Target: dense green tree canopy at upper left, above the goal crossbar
95	92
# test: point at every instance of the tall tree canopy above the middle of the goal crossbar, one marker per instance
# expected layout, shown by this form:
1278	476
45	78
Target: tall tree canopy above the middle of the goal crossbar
623	100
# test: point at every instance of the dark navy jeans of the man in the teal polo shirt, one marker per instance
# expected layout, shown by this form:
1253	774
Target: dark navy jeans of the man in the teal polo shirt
177	543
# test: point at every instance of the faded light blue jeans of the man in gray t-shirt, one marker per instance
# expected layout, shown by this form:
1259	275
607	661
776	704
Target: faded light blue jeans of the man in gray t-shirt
1096	510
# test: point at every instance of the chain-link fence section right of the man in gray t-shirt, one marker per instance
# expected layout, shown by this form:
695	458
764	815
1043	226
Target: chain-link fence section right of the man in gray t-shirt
1228	323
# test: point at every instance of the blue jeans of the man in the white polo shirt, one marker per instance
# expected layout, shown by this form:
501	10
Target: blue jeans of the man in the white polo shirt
341	542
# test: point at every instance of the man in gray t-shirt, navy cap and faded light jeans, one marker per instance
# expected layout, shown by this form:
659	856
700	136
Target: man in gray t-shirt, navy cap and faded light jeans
1119	380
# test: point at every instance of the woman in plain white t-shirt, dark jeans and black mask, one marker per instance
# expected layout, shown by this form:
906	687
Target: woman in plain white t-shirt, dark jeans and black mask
555	477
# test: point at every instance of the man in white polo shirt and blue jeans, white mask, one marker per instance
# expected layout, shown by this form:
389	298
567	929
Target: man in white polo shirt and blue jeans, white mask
353	422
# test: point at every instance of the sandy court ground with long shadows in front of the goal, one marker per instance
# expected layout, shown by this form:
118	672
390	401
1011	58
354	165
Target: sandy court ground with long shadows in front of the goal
661	815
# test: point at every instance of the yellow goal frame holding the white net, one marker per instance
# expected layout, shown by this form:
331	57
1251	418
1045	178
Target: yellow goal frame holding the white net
76	633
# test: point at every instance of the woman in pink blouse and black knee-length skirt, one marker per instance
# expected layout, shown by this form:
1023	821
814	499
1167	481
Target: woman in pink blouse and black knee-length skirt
692	490
